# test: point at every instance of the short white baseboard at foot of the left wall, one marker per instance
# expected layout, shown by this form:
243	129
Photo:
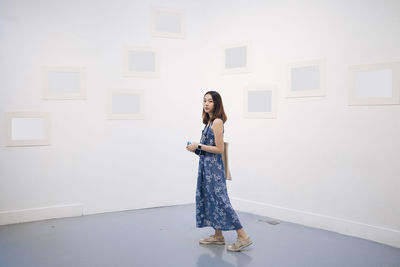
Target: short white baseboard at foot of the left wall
42	213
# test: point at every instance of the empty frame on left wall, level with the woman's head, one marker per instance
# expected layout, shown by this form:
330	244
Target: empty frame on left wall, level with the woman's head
125	104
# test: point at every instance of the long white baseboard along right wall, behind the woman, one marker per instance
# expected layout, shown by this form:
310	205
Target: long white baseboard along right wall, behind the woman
347	227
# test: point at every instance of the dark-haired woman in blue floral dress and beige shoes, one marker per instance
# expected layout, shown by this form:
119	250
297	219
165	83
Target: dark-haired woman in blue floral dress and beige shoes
213	207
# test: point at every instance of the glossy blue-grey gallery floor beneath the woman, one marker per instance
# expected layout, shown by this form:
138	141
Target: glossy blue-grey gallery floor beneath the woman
168	237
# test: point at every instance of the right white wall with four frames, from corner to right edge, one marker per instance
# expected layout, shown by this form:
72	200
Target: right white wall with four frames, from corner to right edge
321	162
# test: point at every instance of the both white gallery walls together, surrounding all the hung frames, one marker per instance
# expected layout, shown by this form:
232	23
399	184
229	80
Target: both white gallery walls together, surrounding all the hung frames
320	163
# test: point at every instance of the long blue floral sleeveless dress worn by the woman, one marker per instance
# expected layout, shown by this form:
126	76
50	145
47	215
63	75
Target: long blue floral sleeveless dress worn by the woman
213	207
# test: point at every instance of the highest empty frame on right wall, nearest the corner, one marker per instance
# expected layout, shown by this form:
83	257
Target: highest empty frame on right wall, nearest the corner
236	58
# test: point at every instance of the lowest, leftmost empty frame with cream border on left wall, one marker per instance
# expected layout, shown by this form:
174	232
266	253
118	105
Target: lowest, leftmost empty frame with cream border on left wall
27	128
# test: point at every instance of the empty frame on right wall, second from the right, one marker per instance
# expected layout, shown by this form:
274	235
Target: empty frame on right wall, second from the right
306	78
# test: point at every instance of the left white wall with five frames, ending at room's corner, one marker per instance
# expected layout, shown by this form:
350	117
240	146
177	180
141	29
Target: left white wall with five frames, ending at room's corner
95	164
